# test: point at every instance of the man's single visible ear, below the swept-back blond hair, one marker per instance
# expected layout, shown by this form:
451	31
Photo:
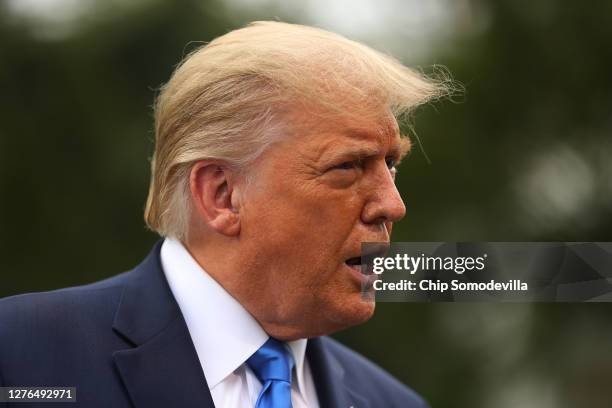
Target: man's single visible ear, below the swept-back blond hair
215	198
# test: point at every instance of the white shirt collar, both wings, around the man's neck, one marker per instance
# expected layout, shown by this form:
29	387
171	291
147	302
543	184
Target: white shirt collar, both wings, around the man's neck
223	332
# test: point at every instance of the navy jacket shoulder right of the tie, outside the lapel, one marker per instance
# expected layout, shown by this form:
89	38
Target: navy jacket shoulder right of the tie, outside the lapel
363	374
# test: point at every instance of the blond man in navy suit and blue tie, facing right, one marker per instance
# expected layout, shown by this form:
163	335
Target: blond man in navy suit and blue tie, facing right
276	152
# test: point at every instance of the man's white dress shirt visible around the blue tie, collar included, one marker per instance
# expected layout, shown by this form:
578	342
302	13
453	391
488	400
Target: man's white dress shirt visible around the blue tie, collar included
225	335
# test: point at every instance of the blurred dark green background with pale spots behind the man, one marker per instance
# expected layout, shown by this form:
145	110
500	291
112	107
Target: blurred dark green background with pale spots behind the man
524	155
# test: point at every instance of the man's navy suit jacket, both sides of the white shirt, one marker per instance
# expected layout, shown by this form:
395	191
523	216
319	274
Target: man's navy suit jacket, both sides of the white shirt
123	342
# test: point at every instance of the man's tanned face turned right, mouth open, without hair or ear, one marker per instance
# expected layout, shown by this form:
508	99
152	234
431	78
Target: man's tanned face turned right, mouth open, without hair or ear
316	196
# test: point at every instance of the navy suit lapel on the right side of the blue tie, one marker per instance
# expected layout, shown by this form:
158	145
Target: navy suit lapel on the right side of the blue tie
329	379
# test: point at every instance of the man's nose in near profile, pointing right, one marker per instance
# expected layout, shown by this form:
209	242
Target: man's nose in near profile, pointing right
385	203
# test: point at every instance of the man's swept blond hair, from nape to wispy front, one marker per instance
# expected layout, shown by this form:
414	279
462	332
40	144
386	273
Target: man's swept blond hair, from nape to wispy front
225	101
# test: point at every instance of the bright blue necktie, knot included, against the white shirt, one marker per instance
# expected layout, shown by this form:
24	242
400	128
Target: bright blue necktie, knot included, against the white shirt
272	364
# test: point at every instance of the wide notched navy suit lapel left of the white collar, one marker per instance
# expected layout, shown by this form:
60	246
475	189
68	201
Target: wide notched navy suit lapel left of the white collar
162	369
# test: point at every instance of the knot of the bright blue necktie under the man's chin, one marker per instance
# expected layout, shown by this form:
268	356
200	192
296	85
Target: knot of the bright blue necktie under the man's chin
272	362
